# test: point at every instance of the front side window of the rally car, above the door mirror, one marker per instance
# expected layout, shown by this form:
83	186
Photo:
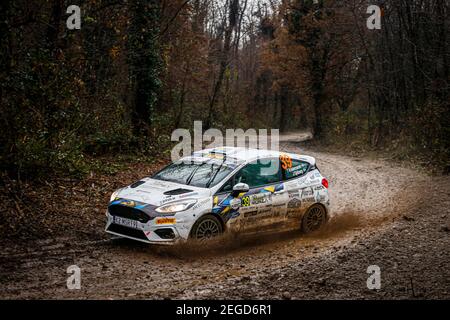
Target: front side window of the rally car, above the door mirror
259	173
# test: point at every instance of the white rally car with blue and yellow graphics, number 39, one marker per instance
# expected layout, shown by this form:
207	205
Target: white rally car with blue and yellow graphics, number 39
221	189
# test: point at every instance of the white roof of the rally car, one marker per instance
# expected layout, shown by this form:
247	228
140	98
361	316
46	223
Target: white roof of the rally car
247	154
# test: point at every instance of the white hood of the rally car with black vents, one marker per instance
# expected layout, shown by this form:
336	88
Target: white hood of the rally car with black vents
158	192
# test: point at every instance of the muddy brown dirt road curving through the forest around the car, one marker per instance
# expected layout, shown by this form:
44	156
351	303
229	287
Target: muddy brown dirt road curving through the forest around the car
383	214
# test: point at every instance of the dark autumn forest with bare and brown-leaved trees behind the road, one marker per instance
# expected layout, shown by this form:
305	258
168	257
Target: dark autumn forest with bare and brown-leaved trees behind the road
138	69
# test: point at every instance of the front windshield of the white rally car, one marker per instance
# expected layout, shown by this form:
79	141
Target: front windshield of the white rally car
197	174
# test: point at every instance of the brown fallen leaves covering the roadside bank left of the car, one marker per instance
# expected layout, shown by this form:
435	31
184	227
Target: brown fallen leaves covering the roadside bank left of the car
61	206
